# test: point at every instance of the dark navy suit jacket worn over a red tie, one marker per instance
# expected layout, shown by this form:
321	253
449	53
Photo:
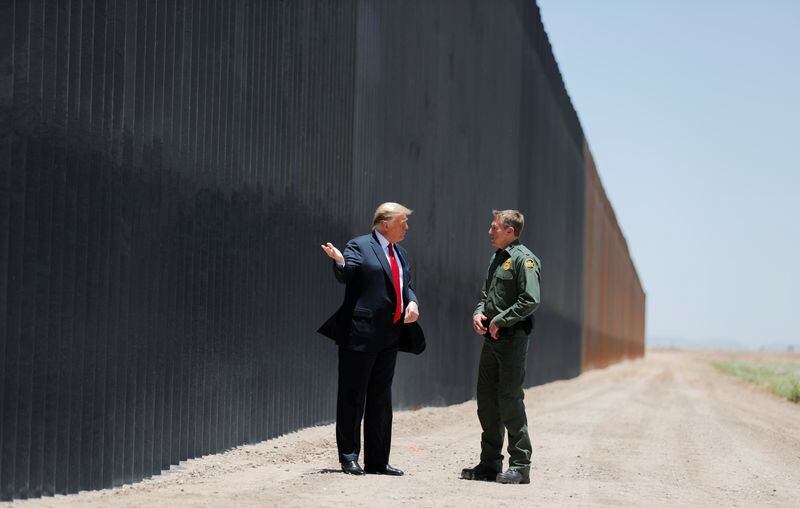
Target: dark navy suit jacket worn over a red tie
364	321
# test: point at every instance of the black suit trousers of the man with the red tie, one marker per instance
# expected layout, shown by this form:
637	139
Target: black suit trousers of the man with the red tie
365	391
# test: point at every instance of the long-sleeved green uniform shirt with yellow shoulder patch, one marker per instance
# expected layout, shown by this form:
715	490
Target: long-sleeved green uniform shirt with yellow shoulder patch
511	291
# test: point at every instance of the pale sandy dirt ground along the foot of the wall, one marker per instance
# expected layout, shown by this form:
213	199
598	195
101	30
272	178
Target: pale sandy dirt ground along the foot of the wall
665	430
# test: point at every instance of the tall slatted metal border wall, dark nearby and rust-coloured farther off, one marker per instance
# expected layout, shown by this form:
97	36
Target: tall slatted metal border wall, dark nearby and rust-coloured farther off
168	171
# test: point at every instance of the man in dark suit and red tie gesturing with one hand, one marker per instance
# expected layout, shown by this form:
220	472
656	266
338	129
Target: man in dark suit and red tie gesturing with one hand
368	328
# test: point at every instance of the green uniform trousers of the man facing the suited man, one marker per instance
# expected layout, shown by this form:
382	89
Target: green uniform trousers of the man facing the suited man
500	403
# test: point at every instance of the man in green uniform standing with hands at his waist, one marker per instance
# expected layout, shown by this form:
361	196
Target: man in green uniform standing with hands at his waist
509	297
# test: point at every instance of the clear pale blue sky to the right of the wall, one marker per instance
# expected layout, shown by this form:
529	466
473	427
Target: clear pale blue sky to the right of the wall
691	110
